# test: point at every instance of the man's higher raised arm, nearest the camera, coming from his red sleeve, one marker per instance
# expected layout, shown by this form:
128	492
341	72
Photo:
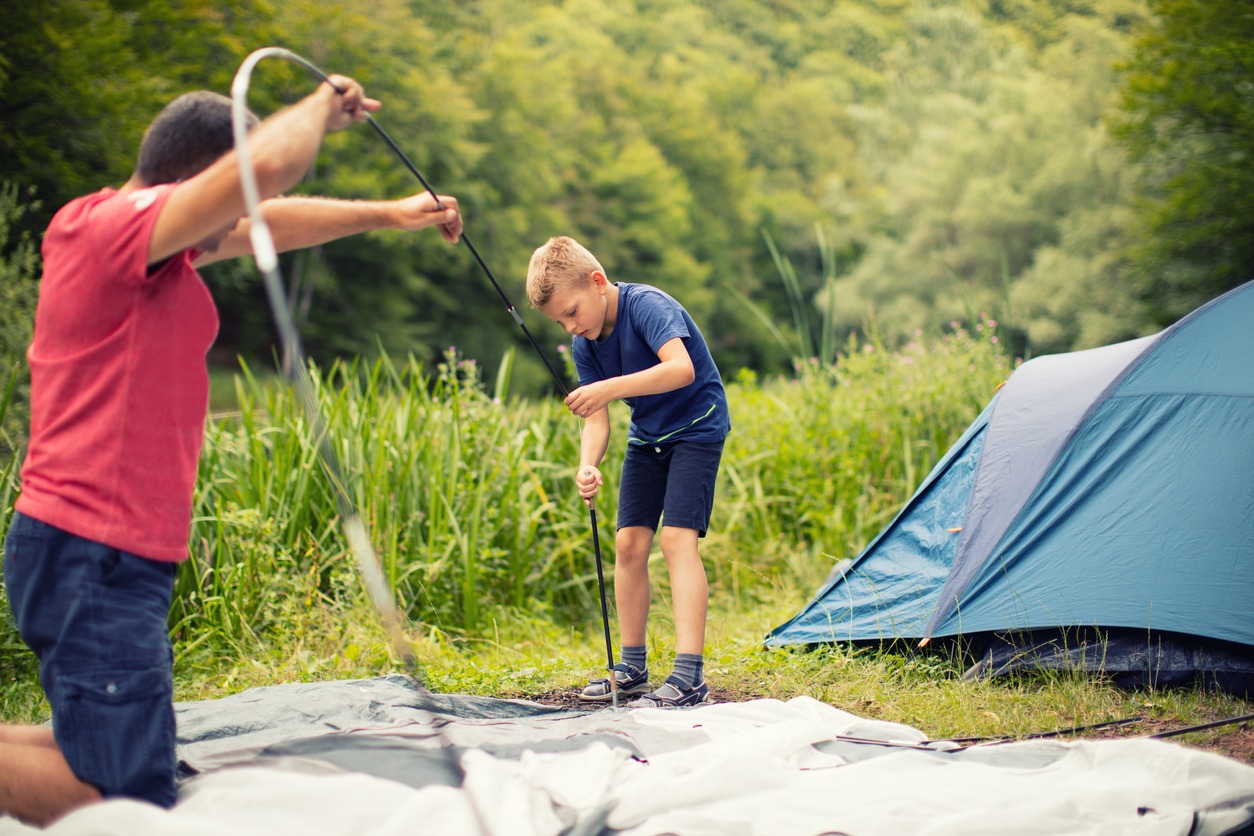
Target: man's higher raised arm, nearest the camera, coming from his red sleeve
282	150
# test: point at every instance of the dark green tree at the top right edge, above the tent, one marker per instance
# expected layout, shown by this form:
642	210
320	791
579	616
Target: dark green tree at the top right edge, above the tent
1189	120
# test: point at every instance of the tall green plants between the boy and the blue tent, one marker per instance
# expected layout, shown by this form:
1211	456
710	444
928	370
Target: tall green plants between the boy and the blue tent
819	462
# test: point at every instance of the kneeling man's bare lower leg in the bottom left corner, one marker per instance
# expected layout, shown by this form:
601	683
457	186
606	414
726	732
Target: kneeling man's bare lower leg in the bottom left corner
37	784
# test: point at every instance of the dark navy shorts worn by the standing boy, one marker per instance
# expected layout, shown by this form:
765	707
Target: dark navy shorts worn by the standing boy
673	483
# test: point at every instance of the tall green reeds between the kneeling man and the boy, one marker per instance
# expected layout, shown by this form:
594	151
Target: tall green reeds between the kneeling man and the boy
468	499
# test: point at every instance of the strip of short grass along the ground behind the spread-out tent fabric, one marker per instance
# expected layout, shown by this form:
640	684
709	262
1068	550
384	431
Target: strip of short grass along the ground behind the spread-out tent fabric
526	656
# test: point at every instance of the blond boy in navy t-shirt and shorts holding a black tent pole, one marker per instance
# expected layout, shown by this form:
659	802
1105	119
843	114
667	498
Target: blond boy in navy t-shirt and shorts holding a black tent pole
634	343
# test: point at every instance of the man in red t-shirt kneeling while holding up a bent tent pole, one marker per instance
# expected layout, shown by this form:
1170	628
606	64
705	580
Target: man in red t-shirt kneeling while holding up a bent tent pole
120	394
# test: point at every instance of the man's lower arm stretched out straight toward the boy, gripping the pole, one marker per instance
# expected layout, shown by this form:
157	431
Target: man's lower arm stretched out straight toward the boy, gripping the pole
299	222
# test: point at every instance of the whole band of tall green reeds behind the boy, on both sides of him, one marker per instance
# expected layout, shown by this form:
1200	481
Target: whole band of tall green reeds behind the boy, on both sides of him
470	494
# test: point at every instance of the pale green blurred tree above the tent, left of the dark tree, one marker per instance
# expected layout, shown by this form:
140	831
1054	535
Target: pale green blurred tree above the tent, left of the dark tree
994	165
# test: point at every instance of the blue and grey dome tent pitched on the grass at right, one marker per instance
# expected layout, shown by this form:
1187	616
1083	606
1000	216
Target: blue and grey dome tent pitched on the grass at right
1098	516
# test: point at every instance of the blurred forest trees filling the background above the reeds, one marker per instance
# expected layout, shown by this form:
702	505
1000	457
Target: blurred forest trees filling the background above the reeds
1074	169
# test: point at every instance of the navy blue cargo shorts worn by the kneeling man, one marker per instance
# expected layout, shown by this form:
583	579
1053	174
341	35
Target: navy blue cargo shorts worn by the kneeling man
97	620
